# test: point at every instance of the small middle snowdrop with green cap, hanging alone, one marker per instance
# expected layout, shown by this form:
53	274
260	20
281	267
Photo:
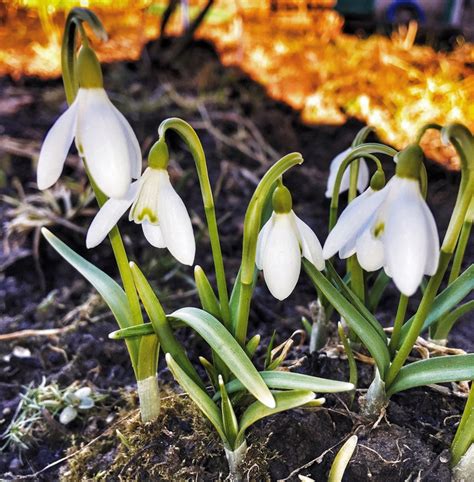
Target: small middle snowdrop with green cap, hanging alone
281	243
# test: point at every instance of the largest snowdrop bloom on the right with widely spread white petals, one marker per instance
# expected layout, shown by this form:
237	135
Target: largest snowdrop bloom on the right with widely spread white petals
390	227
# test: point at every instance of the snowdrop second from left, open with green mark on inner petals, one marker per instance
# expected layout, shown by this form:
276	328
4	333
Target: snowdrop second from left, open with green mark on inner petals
156	206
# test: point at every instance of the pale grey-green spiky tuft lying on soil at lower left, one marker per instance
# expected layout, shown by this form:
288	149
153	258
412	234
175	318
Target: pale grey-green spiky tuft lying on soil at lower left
47	400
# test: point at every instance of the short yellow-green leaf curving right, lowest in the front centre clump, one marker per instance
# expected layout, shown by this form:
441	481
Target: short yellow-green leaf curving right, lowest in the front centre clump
284	401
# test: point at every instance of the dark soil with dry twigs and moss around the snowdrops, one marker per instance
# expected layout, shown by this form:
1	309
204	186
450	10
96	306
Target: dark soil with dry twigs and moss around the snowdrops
38	290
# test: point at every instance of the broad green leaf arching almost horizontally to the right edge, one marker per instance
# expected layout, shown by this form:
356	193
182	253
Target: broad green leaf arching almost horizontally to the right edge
454	368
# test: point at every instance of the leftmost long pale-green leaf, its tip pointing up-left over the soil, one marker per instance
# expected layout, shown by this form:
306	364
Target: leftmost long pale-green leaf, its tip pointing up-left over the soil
110	291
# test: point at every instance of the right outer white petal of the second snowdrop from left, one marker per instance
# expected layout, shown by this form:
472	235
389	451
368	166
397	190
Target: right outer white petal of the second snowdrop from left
175	222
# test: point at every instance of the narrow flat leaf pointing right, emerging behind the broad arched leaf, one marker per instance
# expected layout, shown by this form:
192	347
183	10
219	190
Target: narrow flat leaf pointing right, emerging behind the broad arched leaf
279	380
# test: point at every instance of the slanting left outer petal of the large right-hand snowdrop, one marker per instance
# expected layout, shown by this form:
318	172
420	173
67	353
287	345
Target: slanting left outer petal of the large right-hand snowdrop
352	219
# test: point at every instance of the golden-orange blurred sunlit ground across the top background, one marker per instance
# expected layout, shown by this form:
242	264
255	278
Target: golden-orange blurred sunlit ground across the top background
300	54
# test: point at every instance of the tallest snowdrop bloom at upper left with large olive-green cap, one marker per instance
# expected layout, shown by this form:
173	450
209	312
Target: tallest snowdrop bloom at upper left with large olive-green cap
103	136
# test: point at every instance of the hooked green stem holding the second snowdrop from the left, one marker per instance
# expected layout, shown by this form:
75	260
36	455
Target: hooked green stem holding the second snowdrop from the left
189	136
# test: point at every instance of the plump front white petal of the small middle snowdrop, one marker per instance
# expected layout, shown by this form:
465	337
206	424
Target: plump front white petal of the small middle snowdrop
282	257
